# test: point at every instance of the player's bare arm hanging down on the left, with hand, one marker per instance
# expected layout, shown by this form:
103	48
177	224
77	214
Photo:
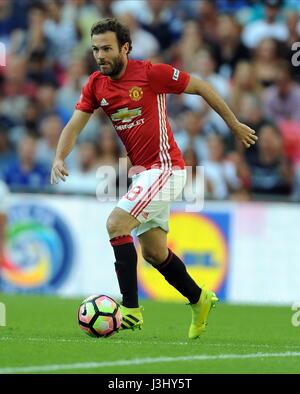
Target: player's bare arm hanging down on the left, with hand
66	143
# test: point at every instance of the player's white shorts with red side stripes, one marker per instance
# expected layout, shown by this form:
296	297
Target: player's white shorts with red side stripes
150	196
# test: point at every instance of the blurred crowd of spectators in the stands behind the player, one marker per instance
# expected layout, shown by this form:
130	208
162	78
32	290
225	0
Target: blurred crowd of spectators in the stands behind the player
243	48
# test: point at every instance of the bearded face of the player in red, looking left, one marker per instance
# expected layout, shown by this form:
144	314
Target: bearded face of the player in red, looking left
109	57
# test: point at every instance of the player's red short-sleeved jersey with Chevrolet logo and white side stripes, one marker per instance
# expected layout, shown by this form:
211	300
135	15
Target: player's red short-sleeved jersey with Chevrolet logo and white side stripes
136	105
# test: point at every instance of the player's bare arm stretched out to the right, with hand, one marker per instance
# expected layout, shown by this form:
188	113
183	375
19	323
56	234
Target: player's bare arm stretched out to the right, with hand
244	133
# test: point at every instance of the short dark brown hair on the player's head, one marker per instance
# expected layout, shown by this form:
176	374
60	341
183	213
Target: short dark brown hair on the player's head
112	24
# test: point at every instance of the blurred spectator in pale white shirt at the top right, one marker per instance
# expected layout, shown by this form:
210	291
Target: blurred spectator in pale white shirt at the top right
269	27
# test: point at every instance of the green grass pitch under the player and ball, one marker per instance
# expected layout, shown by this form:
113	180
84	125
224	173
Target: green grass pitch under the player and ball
42	336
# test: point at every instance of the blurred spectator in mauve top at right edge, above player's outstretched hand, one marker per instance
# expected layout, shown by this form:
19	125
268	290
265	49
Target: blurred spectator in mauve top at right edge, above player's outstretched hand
282	101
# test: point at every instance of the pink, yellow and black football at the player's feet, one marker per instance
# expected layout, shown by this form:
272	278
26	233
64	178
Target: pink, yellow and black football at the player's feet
99	316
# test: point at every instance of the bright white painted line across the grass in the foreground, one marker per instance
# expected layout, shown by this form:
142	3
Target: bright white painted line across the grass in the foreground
141	361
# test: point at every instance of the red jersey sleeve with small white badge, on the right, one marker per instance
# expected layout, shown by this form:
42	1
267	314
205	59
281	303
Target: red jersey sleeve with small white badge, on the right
164	78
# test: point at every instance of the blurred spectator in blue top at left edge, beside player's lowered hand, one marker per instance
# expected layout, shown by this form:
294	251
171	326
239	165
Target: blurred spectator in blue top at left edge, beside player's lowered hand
25	172
